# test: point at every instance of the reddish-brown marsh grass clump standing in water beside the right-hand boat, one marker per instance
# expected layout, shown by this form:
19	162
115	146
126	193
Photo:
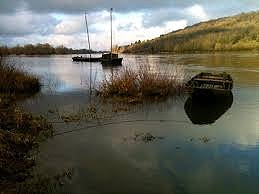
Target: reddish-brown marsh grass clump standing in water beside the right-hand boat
142	84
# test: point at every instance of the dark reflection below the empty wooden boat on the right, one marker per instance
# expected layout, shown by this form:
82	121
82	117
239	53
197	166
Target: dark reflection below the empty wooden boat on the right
207	110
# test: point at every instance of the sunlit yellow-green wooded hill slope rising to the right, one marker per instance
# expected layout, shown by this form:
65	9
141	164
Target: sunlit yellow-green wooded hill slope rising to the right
240	32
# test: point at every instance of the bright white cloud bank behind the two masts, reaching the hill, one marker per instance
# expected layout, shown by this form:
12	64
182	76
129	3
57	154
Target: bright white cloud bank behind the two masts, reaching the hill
127	28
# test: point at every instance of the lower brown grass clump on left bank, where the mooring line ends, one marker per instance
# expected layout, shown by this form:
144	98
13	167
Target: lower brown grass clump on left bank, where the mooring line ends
20	132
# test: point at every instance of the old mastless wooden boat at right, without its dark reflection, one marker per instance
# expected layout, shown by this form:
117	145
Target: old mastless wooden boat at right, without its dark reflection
216	83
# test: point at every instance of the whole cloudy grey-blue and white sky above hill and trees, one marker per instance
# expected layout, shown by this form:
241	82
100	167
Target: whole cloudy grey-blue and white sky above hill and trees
61	22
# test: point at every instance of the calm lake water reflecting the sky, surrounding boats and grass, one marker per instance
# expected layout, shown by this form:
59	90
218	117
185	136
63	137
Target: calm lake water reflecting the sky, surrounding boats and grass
211	148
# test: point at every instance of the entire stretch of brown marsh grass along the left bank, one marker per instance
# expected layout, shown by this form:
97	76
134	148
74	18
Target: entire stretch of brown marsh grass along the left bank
20	134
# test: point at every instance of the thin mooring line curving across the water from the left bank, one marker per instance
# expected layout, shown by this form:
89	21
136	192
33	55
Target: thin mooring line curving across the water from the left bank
119	122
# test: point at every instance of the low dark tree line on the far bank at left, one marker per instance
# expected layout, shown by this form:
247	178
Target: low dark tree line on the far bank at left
41	49
